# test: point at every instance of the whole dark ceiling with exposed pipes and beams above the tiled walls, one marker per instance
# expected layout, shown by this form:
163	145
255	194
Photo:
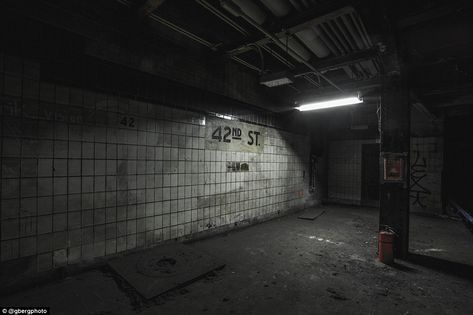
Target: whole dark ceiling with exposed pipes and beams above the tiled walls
432	39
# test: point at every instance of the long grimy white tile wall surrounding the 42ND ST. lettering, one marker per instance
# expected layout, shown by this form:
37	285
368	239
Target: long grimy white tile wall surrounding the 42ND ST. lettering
85	174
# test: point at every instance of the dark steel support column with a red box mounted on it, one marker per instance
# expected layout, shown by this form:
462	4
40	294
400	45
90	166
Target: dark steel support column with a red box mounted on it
395	141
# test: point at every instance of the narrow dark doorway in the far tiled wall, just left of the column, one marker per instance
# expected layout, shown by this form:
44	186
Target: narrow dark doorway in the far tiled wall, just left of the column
370	174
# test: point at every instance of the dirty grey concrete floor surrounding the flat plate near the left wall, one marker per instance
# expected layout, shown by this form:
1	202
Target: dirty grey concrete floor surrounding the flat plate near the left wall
292	266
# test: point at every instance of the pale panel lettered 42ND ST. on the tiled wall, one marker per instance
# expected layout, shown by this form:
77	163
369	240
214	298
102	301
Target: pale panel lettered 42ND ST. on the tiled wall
230	135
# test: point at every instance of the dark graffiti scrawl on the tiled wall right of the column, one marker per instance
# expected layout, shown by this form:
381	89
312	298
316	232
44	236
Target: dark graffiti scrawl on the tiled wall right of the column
418	191
